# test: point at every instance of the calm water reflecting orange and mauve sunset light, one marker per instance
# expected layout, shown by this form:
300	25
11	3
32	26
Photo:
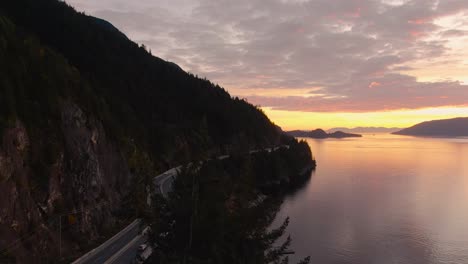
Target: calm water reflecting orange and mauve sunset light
383	199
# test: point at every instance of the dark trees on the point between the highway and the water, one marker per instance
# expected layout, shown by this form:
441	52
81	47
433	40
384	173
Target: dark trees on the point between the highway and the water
221	211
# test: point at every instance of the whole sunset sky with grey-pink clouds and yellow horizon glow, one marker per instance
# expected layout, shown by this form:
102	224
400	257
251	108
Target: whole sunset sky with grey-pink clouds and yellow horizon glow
313	63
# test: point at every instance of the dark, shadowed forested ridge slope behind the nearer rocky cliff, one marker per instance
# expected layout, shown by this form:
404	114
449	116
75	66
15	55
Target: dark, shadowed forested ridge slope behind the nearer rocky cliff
139	94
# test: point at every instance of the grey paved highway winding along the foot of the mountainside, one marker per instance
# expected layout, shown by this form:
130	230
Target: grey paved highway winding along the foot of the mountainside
122	248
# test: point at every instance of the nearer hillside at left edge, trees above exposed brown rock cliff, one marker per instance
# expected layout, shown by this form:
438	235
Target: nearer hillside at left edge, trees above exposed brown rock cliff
60	172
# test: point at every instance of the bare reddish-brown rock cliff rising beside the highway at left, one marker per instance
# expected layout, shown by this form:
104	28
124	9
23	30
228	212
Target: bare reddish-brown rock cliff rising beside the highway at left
85	180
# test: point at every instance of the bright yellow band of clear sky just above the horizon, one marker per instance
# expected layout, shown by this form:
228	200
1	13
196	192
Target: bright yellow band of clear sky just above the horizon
289	120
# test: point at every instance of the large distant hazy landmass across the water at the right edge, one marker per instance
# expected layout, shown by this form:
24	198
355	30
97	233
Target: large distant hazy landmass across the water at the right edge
456	127
